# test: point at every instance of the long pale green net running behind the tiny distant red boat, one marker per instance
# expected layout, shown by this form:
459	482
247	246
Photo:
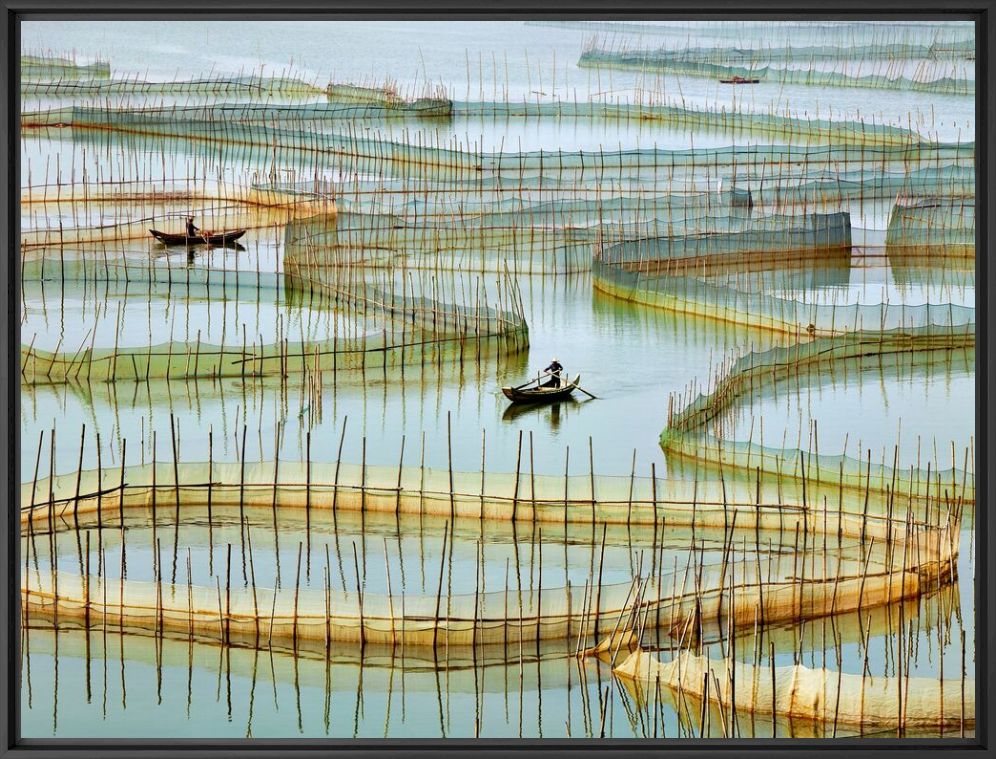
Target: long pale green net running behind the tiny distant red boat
812	77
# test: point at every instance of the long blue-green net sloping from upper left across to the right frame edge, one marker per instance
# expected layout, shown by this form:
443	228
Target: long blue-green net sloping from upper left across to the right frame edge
351	154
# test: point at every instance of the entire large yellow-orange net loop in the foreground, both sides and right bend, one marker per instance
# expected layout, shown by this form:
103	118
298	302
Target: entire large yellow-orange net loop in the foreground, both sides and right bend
895	559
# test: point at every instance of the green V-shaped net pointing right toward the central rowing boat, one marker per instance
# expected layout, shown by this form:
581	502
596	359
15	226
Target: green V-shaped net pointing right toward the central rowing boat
414	329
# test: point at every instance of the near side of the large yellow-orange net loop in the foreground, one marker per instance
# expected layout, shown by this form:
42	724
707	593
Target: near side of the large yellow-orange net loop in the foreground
738	593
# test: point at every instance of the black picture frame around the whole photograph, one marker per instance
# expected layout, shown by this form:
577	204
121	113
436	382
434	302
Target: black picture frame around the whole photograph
983	12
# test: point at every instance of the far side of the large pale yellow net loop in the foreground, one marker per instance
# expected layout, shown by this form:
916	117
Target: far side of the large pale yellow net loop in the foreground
520	495
